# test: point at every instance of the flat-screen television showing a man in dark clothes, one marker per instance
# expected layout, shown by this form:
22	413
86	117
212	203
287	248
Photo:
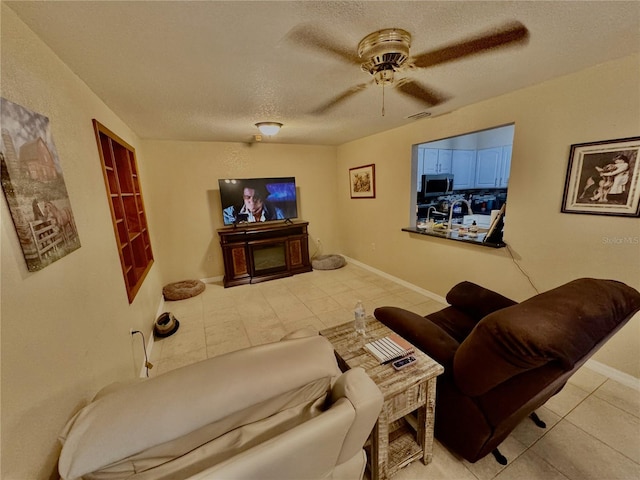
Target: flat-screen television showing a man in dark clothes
258	199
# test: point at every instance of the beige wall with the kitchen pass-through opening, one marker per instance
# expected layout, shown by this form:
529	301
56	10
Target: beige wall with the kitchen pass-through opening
552	247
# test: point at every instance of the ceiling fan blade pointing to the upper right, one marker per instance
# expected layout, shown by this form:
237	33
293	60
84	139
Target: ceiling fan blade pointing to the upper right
510	34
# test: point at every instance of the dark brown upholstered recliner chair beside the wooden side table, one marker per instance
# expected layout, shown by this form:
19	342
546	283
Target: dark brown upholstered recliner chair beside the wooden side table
502	359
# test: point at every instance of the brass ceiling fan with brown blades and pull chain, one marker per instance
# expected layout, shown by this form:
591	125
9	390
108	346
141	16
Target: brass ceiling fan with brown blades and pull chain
384	54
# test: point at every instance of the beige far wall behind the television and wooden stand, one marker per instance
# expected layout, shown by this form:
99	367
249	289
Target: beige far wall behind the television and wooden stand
183	198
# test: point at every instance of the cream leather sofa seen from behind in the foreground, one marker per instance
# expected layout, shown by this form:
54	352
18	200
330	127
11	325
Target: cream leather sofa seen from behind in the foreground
277	411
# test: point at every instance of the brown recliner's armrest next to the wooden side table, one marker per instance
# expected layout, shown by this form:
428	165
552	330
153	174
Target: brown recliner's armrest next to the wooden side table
421	332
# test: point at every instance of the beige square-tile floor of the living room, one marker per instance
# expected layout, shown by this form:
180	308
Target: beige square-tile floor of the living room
593	425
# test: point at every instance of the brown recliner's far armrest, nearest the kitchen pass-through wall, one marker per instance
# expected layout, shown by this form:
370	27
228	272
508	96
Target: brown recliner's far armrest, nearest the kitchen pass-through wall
477	301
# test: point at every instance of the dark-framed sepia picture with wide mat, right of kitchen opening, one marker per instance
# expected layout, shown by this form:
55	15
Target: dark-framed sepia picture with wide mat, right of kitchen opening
603	178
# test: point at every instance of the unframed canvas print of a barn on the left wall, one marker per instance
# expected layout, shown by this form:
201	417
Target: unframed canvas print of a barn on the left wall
34	186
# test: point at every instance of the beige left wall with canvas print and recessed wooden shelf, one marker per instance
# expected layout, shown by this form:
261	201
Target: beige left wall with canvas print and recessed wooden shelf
65	329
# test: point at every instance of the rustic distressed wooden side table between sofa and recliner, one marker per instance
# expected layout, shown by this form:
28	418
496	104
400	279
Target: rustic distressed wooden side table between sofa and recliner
404	430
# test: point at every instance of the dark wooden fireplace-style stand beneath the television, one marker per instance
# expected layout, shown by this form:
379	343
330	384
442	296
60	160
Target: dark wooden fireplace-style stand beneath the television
256	252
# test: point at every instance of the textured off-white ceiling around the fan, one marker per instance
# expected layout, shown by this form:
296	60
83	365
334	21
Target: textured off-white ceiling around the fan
209	70
